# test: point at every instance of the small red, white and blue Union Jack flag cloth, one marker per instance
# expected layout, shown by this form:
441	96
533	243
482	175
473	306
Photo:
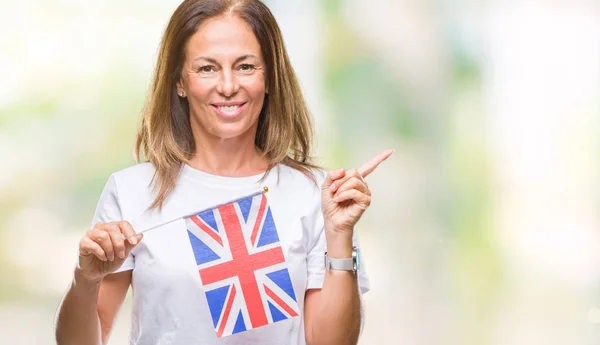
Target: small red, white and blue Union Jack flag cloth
241	264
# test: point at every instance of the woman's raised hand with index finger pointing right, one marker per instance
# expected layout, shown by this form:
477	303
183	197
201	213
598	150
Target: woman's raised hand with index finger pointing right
345	196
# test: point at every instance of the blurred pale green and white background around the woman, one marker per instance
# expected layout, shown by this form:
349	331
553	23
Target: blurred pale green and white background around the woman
484	227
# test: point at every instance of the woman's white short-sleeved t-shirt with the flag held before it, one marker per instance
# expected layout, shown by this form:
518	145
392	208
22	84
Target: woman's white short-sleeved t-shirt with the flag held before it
223	262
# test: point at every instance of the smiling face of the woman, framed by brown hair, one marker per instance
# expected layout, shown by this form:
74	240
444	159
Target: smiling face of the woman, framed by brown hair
223	79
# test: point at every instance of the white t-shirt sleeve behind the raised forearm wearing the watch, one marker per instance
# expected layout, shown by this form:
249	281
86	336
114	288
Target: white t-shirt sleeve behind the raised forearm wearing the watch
316	253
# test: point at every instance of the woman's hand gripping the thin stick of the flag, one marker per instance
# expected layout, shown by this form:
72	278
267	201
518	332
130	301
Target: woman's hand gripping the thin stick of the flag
104	249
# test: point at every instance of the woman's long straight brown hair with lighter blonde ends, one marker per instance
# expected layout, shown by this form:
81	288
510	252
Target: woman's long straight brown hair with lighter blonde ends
165	138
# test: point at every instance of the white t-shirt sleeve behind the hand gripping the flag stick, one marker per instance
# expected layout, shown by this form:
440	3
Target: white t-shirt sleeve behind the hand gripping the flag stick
109	210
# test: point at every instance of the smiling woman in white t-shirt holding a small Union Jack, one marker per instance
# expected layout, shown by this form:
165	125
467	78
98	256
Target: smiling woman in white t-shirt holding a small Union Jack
235	225
